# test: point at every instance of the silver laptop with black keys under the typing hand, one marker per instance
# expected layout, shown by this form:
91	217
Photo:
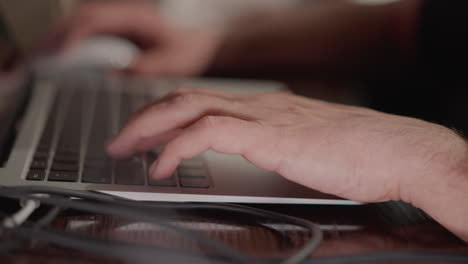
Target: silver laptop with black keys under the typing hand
54	130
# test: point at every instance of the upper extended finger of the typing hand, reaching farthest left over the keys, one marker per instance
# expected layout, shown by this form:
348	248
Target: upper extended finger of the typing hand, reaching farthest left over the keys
177	112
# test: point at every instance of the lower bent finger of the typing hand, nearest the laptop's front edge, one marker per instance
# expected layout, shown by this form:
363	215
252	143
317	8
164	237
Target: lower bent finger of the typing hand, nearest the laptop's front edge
222	134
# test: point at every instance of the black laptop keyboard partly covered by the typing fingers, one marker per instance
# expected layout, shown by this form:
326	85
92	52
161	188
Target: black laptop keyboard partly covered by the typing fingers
81	121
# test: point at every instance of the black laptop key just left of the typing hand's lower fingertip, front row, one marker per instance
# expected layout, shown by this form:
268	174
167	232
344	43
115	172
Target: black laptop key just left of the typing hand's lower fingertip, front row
129	171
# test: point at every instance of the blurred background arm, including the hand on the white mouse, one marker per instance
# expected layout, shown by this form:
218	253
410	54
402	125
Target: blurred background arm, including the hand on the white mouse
331	35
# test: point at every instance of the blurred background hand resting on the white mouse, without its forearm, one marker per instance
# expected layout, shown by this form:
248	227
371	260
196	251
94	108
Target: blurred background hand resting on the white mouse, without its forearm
167	50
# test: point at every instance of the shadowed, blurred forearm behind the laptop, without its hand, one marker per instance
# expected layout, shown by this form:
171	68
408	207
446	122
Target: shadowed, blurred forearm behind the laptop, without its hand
324	35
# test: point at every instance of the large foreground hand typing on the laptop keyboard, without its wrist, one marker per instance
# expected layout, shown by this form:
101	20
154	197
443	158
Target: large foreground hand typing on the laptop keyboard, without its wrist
348	151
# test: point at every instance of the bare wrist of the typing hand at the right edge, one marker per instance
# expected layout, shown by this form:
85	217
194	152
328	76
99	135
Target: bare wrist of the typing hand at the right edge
442	190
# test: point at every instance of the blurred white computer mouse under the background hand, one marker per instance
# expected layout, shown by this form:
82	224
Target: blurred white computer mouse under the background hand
99	52
